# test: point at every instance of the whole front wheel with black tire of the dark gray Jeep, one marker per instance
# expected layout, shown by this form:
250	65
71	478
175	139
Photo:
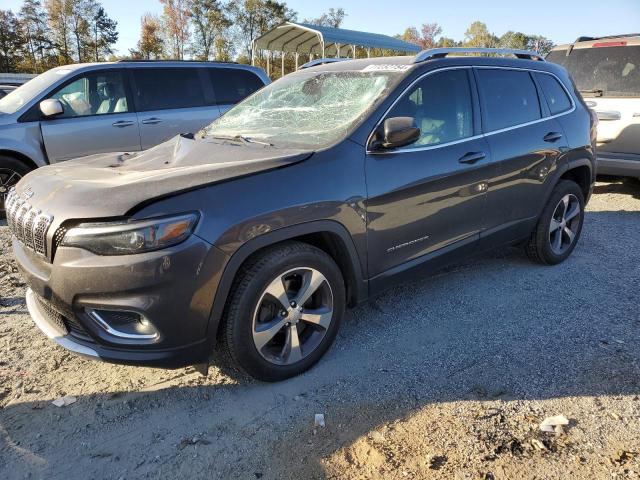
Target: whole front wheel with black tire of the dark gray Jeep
269	340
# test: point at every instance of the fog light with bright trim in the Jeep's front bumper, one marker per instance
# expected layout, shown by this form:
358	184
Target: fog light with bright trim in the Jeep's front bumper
124	324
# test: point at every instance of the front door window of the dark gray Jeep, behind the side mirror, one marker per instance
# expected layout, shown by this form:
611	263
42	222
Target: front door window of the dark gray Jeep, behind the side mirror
442	105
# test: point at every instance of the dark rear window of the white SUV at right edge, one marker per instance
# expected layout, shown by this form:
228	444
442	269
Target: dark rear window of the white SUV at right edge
603	70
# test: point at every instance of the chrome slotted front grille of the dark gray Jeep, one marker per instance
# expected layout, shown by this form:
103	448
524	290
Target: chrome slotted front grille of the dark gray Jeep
29	225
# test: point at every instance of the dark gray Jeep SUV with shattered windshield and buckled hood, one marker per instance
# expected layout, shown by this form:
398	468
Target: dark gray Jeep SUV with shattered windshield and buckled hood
313	194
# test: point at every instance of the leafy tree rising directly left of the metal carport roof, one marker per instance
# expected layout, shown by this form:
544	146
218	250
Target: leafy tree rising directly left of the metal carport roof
252	18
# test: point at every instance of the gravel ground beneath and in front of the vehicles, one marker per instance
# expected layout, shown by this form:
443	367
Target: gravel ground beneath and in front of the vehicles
448	377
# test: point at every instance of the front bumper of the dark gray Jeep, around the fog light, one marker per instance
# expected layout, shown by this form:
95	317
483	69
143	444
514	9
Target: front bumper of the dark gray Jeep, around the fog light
172	288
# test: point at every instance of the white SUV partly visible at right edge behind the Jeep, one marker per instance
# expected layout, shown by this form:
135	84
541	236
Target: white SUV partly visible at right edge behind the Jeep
606	71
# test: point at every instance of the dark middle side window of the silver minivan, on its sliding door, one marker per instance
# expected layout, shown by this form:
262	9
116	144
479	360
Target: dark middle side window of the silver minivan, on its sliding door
167	88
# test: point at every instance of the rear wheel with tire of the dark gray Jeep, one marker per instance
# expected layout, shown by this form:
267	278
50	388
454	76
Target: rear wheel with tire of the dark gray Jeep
559	227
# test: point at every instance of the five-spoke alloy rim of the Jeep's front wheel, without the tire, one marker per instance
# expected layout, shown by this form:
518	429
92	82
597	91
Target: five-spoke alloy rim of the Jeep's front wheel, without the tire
292	316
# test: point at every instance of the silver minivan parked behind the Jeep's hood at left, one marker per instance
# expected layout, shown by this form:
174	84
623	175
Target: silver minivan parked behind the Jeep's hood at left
78	110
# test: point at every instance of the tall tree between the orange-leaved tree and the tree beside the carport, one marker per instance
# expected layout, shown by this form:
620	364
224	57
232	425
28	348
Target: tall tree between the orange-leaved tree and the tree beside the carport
210	25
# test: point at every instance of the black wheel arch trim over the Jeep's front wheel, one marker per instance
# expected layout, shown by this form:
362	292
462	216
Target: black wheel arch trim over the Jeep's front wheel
328	235
